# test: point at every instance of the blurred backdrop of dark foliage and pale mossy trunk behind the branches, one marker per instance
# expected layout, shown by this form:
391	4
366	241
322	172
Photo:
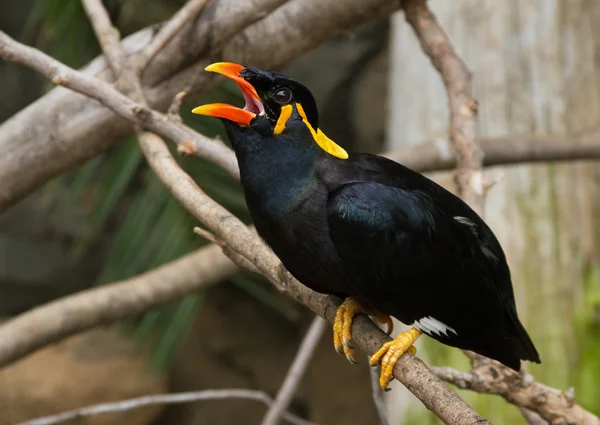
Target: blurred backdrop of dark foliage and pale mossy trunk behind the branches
536	66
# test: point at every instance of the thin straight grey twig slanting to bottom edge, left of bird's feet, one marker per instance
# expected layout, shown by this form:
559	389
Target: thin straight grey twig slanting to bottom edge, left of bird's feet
296	372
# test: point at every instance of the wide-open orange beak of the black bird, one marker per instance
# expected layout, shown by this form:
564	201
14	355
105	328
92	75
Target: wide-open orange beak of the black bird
242	116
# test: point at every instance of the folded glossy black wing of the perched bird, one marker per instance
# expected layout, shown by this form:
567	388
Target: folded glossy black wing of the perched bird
398	242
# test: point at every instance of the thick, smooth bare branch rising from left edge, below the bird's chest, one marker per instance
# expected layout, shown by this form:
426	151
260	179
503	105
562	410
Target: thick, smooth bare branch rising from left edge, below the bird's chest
84	310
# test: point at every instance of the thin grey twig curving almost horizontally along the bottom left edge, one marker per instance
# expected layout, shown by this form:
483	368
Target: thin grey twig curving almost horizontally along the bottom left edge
177	398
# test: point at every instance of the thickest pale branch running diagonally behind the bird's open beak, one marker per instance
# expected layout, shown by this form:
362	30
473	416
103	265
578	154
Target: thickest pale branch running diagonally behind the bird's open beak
35	141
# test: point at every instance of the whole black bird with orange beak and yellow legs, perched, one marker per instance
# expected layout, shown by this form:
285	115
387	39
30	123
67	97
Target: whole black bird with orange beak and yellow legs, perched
386	239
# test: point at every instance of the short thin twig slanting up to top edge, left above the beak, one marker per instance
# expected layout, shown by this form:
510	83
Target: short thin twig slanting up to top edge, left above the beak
183	16
